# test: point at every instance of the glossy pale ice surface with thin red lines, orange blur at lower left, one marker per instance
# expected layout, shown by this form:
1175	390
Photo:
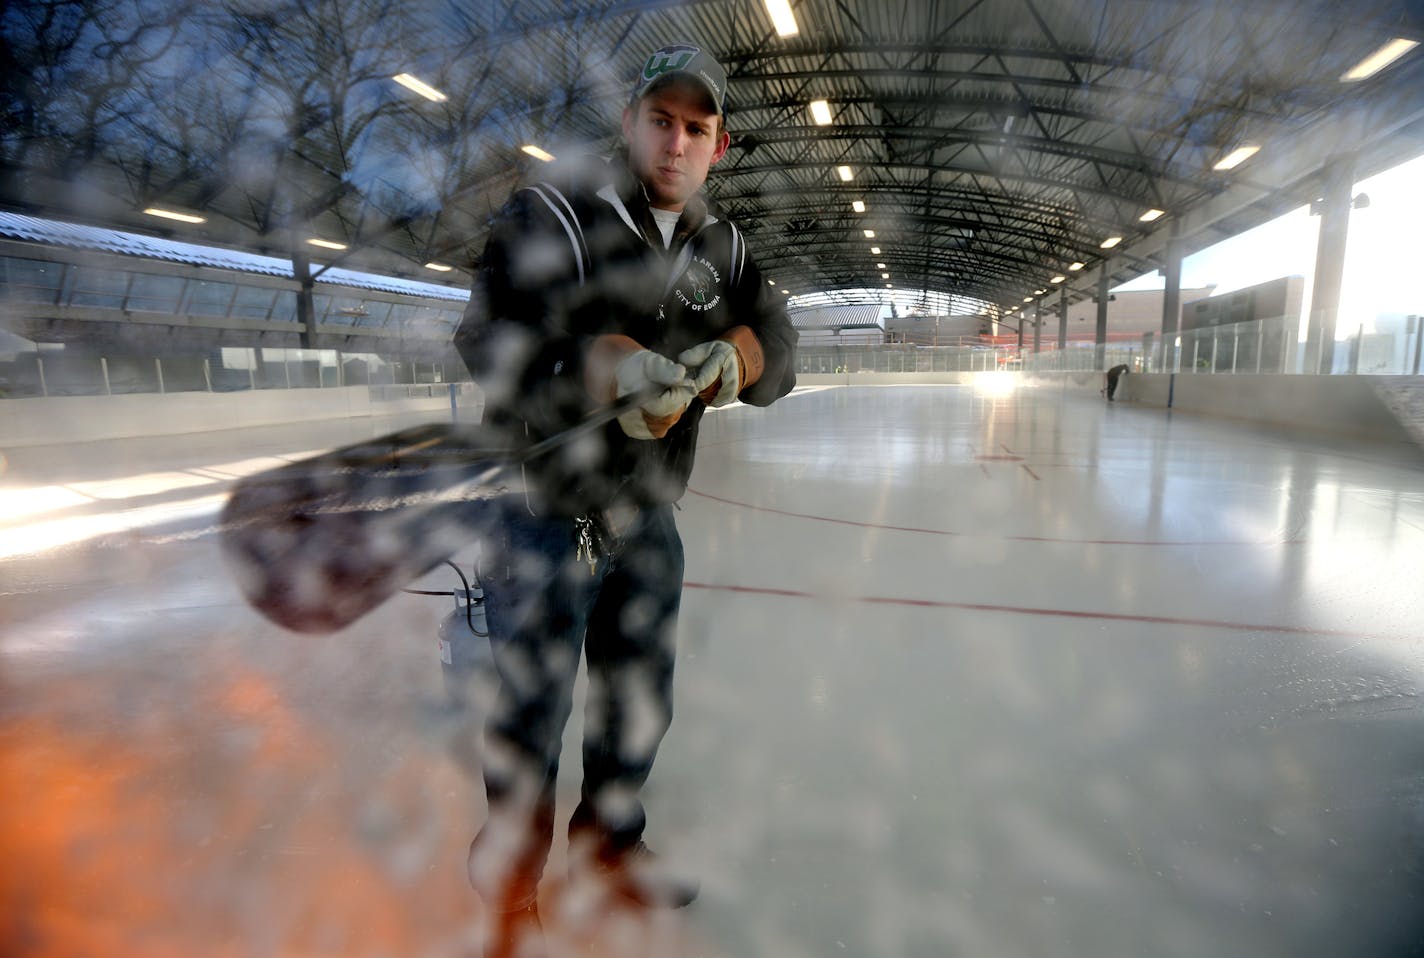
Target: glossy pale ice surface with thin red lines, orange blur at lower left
962	673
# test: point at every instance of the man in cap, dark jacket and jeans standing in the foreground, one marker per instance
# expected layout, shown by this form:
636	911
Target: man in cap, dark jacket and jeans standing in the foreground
612	281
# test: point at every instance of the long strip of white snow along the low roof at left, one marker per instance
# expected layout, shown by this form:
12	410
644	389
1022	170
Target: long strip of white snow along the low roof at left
115	241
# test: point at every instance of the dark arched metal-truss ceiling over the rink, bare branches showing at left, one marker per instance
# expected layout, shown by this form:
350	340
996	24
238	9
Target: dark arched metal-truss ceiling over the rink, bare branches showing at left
993	144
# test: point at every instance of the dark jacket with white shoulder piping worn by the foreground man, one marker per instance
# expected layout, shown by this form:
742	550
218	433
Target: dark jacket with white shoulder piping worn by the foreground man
580	257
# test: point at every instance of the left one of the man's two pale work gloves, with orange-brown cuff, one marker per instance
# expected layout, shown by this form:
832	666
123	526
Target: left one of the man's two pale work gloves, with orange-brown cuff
619	367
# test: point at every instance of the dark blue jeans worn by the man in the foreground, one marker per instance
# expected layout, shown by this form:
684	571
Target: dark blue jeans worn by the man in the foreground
546	601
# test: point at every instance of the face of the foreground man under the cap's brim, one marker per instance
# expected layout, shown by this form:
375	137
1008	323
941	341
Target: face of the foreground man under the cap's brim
673	142
